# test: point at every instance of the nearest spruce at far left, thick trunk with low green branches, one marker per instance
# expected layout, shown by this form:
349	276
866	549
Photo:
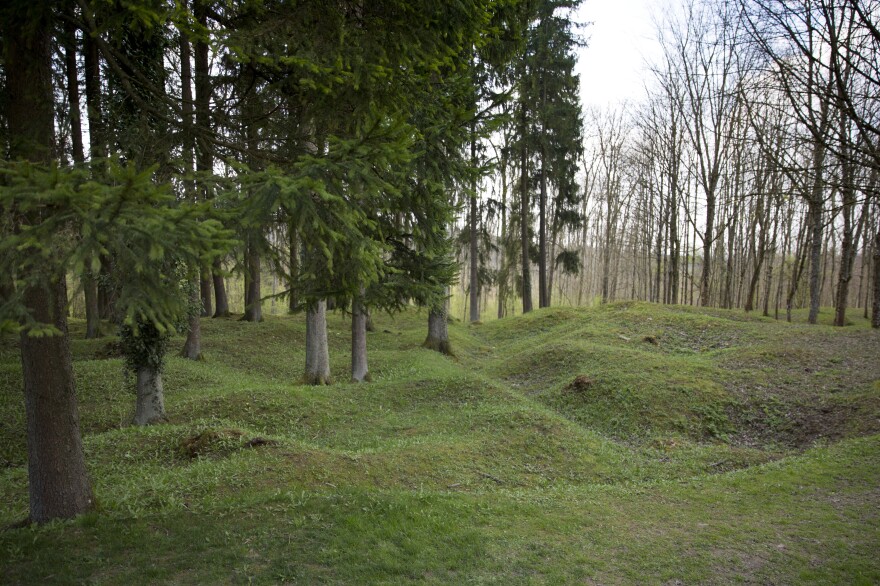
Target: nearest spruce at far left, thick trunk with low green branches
67	218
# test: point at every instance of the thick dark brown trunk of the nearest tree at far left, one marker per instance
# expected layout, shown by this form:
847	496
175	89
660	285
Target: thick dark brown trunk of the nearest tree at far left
57	479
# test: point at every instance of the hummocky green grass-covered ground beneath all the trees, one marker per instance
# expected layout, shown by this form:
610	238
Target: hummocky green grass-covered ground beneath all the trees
623	444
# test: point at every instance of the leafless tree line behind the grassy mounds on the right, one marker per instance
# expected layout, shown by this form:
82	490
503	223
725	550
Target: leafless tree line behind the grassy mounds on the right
747	177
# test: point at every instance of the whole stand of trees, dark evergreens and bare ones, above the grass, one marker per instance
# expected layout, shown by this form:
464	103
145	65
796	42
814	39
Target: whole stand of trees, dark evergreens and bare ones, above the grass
328	148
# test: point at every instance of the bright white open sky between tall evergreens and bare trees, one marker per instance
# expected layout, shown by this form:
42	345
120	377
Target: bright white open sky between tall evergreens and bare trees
621	36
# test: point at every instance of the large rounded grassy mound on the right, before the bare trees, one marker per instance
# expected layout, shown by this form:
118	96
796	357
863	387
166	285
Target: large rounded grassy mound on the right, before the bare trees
639	372
